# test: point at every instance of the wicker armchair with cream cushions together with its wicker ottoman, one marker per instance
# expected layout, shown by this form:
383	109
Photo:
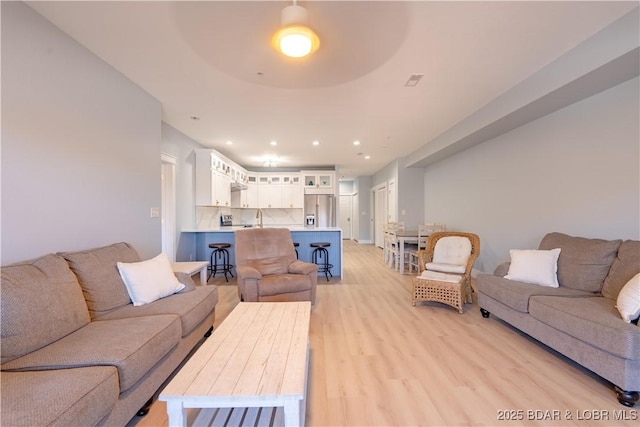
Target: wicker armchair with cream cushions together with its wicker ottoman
448	260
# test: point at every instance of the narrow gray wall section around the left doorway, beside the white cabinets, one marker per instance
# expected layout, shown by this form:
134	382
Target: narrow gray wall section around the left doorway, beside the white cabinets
181	147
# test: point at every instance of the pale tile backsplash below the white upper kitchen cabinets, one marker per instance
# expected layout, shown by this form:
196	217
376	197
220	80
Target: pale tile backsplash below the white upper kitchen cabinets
208	217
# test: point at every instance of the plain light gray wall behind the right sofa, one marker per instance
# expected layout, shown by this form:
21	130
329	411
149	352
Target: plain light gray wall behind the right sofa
575	171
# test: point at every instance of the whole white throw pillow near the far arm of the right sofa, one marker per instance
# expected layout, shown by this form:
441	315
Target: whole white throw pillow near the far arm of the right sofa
537	267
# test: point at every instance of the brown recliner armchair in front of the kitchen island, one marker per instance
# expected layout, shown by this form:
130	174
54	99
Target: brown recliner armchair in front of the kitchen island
268	269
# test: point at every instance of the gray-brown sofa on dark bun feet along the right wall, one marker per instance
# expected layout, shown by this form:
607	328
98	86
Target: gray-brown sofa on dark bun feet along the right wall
579	318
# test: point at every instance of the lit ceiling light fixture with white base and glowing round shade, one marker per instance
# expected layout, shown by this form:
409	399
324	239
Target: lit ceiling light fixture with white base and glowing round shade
294	38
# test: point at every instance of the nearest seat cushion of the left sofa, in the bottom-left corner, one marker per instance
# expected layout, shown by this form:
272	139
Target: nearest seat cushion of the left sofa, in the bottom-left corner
64	397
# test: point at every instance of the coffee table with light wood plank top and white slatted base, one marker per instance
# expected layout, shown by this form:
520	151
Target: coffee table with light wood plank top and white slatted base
257	358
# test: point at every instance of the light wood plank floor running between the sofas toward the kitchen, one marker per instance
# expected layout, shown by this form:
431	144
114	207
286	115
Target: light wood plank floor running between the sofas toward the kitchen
378	361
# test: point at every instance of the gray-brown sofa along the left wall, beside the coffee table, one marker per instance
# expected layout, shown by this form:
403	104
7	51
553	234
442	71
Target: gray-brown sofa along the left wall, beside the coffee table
75	351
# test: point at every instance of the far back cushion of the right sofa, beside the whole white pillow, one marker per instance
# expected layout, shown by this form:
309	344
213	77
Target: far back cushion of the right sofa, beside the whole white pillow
583	263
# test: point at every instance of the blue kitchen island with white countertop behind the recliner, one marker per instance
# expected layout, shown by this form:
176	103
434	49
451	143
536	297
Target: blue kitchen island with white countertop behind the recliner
302	235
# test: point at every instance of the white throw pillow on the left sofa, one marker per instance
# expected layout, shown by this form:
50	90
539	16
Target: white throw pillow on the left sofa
149	280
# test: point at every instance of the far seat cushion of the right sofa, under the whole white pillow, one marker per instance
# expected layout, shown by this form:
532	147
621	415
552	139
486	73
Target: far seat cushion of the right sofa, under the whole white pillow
517	294
